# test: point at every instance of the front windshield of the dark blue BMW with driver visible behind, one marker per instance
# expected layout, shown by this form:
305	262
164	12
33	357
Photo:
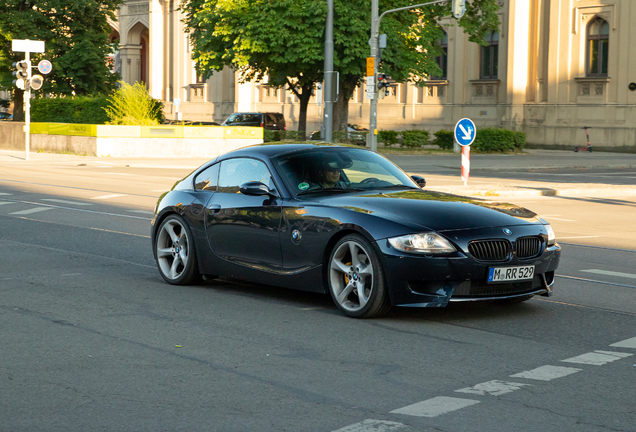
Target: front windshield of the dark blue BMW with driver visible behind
335	170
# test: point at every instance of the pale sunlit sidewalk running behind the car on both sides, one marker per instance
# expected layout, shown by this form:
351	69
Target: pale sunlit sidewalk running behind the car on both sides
441	171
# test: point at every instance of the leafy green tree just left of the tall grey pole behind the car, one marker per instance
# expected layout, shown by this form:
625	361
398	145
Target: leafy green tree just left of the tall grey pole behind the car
277	40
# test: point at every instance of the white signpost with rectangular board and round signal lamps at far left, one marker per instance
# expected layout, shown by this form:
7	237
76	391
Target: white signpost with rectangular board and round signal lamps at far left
25	81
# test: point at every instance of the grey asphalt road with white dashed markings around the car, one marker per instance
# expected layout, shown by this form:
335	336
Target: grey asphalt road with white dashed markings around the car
93	339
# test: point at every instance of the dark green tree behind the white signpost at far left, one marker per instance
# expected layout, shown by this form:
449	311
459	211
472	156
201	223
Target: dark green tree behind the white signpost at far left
77	43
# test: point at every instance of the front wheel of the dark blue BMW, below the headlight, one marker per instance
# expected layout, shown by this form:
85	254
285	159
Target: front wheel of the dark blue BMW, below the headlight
355	278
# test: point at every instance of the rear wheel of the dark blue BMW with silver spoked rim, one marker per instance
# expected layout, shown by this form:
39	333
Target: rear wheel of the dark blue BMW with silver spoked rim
176	253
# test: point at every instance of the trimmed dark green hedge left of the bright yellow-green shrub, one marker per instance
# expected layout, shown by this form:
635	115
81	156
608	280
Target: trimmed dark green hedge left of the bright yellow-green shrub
79	109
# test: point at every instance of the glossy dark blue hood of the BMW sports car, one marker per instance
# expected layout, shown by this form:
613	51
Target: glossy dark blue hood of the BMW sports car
433	210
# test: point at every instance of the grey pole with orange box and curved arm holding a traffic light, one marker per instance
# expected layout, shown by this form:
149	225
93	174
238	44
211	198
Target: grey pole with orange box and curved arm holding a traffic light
459	8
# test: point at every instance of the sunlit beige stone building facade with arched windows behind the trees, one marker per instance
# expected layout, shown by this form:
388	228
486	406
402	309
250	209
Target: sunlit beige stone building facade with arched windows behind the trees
553	67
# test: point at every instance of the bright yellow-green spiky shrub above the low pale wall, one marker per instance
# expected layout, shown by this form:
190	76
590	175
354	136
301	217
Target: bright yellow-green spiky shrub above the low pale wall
132	105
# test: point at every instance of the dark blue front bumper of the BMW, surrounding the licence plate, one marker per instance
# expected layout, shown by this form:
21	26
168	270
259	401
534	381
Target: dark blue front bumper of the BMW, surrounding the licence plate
427	281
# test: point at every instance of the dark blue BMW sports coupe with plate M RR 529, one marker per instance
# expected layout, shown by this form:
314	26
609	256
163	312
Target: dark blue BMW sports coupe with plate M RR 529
348	222
